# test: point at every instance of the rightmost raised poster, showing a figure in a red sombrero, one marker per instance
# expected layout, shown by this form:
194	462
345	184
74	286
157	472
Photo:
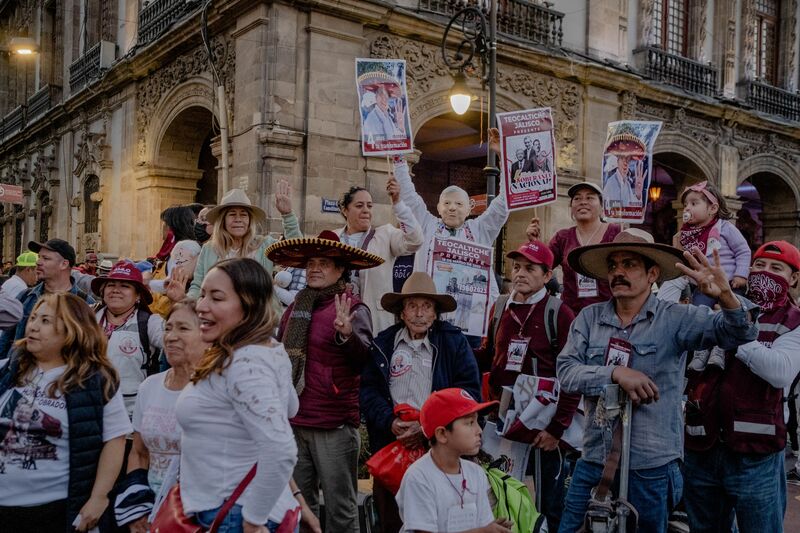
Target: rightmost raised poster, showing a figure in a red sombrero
627	168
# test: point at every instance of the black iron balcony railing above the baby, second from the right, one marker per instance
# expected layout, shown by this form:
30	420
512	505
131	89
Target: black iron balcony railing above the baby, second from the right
678	71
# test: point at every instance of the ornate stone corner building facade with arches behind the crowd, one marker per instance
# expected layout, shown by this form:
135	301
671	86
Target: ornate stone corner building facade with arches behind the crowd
116	118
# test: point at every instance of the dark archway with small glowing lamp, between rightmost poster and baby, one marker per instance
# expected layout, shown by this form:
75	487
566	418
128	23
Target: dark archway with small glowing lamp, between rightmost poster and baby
672	172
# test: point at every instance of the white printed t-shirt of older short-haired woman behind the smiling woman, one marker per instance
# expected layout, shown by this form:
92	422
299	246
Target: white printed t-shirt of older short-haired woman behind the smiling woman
154	420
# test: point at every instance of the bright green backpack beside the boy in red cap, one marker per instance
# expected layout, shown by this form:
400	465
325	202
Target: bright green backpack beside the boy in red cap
514	502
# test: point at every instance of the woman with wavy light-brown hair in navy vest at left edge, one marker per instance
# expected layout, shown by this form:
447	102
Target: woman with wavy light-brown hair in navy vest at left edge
62	422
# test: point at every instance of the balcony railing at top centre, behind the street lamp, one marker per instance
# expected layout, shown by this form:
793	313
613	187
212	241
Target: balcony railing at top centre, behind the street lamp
515	18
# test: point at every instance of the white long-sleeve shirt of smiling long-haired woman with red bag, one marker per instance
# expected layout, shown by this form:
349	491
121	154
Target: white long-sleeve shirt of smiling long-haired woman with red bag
230	422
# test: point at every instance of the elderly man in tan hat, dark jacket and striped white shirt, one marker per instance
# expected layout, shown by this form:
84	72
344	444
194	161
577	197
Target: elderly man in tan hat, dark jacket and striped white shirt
410	360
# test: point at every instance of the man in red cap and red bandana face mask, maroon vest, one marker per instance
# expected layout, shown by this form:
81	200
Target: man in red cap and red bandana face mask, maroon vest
736	418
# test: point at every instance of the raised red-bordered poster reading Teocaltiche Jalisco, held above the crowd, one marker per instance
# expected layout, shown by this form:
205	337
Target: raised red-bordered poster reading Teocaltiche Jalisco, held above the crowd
527	148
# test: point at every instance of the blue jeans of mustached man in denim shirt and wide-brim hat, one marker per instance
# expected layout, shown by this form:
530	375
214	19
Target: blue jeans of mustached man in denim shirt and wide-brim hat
653	492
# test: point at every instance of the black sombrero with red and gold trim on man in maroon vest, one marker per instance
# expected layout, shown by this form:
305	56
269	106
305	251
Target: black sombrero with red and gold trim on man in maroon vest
297	252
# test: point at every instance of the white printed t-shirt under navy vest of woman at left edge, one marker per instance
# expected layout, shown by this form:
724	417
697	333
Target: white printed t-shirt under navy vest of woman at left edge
34	441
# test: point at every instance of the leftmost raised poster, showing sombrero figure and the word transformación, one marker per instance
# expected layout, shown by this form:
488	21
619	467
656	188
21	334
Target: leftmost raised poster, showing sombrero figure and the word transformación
383	107
